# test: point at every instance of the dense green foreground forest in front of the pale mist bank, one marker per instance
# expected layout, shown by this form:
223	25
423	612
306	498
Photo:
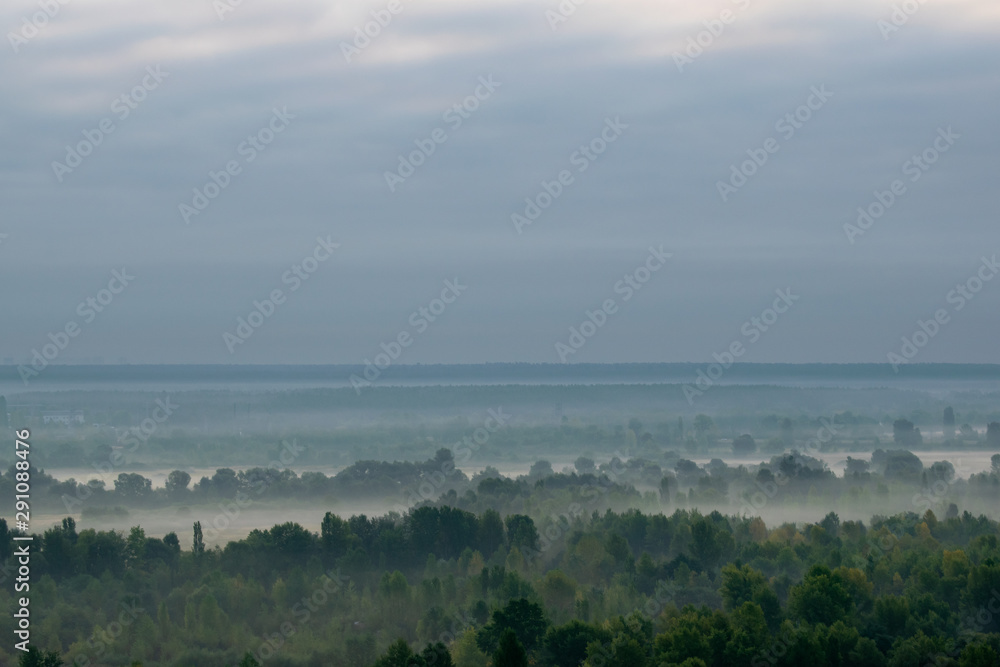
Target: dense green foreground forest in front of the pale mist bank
518	572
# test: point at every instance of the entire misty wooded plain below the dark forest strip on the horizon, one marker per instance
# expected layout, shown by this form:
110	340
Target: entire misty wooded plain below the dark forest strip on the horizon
520	525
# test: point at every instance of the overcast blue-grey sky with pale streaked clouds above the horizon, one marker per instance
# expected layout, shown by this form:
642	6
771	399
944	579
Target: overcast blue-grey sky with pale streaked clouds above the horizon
691	162
